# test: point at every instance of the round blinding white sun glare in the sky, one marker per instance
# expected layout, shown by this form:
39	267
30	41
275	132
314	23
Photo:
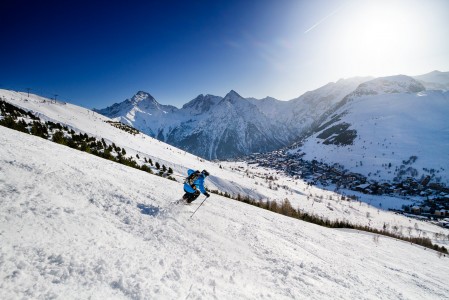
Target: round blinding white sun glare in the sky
375	38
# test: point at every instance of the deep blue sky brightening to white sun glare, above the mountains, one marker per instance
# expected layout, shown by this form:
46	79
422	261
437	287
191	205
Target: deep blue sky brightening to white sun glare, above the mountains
95	53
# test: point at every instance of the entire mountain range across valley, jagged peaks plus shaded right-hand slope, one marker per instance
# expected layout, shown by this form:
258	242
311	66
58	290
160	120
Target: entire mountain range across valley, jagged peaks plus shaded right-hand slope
233	126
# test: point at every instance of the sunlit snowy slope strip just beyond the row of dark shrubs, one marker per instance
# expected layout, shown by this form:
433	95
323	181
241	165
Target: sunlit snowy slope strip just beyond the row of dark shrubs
234	178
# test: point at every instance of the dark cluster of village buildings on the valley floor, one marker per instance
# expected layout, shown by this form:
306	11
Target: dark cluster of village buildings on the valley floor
432	199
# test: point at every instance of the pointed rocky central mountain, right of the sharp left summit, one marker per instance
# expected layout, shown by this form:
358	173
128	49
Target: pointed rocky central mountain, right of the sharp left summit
226	128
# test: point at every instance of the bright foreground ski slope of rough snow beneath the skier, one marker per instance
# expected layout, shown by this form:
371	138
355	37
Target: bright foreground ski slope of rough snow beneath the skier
75	226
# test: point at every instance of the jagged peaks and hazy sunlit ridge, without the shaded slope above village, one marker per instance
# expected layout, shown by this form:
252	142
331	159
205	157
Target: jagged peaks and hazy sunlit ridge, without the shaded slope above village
217	127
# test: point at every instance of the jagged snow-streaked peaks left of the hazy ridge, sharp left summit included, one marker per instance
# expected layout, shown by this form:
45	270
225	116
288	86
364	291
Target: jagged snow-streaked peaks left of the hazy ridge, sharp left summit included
208	126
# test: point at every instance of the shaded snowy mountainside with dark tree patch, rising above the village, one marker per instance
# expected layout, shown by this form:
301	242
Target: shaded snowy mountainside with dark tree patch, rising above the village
381	126
